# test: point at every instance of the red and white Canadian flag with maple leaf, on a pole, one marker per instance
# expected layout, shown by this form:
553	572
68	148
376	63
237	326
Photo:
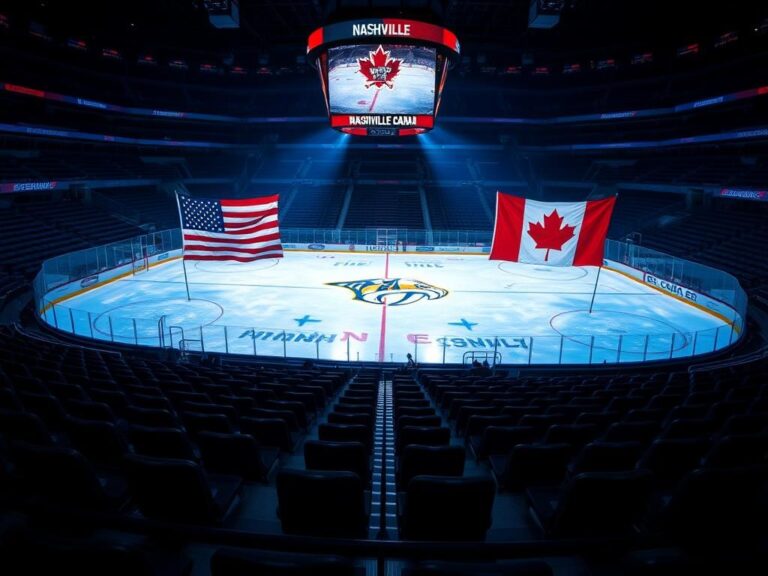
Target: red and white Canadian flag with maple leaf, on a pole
551	233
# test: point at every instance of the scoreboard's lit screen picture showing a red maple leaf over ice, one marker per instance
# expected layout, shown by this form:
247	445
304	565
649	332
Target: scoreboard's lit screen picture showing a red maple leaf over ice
381	79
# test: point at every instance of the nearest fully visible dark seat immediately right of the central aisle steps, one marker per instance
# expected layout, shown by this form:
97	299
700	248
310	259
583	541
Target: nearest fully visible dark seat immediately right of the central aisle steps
446	508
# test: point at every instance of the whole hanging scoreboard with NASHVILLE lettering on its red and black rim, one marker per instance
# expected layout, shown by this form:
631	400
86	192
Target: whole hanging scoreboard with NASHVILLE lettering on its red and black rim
382	77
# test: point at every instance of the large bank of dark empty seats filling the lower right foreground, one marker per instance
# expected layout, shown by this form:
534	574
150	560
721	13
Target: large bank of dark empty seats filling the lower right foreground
609	458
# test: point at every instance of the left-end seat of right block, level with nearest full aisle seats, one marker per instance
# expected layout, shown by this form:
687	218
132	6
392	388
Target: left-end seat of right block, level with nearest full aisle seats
593	504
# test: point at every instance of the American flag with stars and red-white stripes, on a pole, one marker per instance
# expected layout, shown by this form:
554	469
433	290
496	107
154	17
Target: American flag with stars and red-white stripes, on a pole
242	230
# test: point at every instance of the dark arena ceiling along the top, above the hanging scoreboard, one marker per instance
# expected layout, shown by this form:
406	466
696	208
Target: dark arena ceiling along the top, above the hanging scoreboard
585	24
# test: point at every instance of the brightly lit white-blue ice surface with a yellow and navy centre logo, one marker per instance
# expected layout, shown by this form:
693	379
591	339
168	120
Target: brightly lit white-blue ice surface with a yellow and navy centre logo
380	306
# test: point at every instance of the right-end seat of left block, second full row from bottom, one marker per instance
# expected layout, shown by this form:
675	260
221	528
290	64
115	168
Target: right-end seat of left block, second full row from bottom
237	455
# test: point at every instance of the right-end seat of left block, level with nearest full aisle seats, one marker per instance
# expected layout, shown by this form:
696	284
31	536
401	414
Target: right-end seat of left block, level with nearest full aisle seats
179	490
